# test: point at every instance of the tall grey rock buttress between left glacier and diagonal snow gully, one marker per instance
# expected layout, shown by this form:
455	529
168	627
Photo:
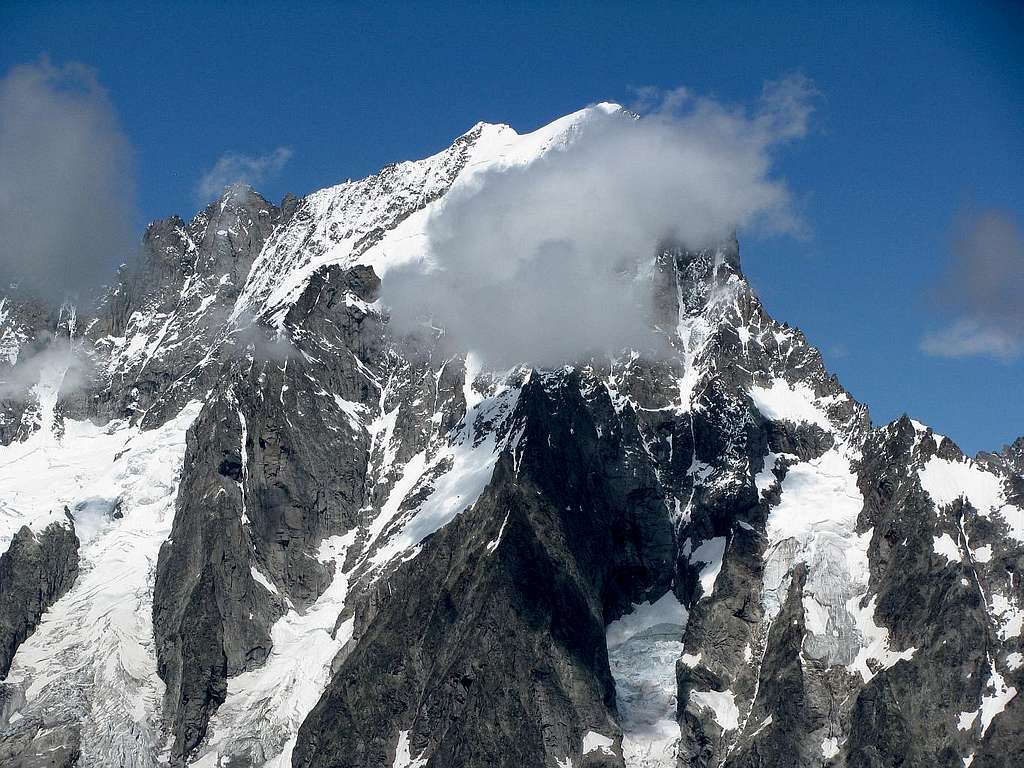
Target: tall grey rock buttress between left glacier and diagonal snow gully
275	465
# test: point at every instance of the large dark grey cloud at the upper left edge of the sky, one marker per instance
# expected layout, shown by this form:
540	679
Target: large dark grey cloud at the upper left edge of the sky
67	192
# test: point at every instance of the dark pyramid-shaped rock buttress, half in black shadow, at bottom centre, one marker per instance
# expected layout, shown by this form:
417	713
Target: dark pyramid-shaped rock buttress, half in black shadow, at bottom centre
510	601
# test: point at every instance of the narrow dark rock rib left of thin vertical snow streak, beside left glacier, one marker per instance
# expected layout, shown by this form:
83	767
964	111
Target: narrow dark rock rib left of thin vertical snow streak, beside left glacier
210	614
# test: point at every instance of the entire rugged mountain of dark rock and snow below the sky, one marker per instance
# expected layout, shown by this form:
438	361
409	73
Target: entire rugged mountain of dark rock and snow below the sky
243	524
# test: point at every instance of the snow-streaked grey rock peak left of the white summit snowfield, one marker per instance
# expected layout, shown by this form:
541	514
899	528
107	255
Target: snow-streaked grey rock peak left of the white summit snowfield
156	339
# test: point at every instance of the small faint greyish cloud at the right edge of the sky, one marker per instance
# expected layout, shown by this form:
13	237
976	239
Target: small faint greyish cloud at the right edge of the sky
983	291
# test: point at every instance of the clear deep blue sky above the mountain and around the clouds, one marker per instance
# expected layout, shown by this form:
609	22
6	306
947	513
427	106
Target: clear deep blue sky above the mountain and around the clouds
922	117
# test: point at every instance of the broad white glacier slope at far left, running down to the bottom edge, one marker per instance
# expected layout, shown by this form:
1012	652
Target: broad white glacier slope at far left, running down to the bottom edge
91	665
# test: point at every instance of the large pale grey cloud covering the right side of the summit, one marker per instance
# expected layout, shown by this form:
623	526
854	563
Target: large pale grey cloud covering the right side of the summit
546	264
